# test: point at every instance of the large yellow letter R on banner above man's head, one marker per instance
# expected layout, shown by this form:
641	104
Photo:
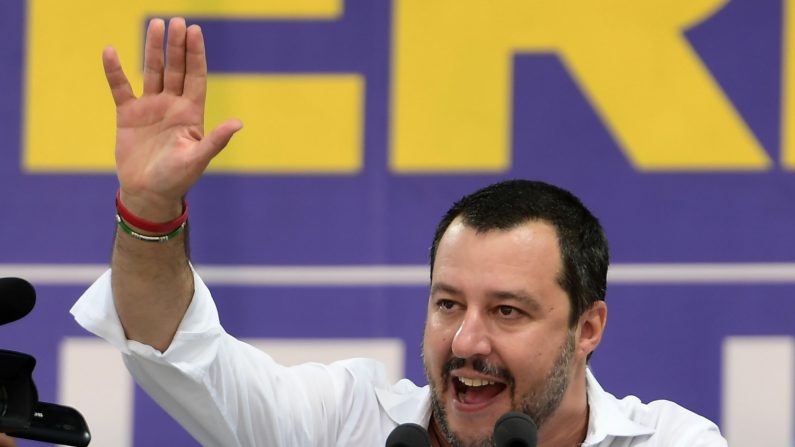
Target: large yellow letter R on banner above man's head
452	94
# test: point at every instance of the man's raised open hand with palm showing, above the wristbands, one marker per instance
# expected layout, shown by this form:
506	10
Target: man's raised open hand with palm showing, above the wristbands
161	149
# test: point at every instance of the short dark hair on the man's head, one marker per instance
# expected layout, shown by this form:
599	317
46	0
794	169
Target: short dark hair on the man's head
583	245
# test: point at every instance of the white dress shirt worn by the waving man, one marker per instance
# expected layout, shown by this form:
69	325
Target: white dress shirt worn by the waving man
227	393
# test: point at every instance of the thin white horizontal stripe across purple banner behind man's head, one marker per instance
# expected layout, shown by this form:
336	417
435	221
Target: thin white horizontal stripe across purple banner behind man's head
412	275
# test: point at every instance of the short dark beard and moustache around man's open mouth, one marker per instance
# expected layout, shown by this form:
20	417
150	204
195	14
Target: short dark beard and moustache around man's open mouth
539	403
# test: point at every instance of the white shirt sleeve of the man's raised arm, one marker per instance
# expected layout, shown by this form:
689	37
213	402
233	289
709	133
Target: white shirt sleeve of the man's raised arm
226	392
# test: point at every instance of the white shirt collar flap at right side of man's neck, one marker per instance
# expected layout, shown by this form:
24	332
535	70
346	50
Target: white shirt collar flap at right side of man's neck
606	416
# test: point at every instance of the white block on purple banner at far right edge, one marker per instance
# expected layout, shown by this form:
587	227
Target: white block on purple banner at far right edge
758	391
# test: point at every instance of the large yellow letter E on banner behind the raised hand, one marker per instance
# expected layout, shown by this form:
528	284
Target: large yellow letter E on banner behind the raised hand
293	123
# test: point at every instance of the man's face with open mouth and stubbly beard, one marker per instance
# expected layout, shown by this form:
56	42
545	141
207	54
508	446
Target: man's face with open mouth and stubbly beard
497	336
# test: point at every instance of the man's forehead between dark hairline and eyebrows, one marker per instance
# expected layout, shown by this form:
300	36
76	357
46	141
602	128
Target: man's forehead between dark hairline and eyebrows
526	256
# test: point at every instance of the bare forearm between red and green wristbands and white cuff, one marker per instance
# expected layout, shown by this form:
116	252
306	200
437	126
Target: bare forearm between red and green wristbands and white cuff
152	287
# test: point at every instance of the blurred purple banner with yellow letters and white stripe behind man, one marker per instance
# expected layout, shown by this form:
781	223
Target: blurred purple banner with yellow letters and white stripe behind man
365	120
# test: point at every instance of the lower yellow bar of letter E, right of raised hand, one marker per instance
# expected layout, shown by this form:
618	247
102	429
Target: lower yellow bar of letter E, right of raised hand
282	139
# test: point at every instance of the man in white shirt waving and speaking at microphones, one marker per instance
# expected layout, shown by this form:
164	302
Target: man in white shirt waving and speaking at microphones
516	306
